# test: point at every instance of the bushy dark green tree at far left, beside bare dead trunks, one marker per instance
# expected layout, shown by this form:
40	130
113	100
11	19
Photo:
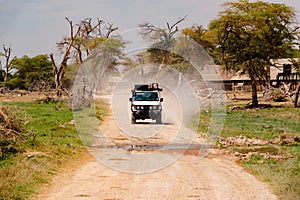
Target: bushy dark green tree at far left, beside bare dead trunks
31	73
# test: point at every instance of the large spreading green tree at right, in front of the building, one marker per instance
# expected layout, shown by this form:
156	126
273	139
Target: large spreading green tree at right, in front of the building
250	34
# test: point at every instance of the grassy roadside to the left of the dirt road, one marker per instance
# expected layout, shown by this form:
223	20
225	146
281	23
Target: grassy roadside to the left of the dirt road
54	145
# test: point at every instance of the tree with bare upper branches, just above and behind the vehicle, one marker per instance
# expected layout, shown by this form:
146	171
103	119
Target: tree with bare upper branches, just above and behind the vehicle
171	49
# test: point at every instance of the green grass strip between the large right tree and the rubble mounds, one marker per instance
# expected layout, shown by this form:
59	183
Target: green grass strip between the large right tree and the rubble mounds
257	123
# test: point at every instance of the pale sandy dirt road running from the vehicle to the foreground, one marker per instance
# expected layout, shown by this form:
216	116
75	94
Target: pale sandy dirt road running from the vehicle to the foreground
190	176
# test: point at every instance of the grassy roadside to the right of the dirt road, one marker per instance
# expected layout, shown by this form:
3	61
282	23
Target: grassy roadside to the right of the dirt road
282	175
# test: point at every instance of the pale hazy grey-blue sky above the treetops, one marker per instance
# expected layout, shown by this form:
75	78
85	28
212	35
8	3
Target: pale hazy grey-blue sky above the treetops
32	27
